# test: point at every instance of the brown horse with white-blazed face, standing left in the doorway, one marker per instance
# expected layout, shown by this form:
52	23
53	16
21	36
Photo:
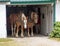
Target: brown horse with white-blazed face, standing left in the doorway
17	20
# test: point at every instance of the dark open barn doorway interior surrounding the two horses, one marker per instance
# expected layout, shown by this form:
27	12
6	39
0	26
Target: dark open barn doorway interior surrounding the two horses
42	11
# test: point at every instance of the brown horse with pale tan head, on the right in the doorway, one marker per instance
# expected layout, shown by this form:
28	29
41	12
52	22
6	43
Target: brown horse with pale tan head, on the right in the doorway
32	22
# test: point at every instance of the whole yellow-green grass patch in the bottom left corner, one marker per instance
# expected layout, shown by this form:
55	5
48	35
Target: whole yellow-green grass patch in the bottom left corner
7	42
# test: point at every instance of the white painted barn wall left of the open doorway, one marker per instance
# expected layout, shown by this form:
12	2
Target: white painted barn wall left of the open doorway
3	31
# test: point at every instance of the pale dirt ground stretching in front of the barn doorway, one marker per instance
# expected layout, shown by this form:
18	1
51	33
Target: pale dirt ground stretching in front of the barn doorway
31	41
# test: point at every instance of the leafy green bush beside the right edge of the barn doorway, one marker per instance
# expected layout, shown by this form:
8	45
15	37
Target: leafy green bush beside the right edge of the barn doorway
56	31
